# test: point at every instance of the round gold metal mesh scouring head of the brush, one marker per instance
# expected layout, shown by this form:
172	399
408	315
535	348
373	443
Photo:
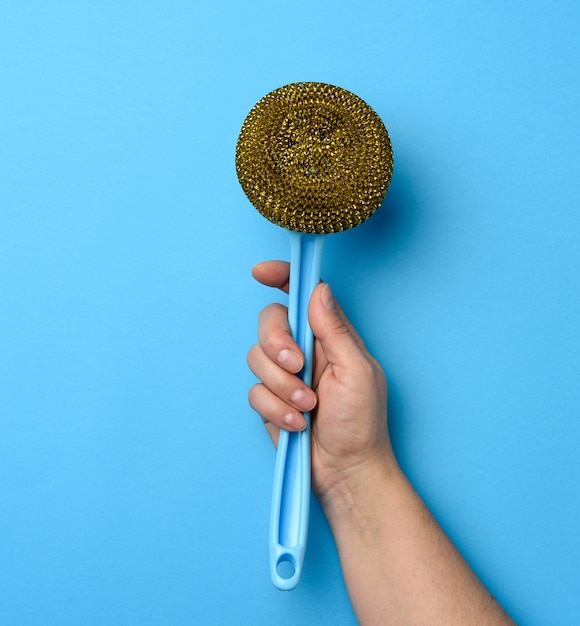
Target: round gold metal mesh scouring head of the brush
314	158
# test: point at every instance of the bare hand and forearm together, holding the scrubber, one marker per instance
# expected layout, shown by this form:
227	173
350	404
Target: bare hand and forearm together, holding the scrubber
399	566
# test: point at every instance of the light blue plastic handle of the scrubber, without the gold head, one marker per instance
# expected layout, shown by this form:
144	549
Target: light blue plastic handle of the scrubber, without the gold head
291	493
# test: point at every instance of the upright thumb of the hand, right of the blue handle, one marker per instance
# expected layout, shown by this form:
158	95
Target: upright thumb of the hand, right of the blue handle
339	341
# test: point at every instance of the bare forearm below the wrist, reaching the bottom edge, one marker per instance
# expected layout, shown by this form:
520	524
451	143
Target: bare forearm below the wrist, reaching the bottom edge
398	564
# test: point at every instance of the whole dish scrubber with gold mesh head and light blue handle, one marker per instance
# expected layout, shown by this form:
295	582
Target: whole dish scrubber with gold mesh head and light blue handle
314	159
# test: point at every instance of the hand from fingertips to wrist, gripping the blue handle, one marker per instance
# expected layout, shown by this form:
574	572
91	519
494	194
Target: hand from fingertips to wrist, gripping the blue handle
349	392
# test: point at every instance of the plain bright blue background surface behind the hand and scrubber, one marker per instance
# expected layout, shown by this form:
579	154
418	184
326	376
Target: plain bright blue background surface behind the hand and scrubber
134	478
